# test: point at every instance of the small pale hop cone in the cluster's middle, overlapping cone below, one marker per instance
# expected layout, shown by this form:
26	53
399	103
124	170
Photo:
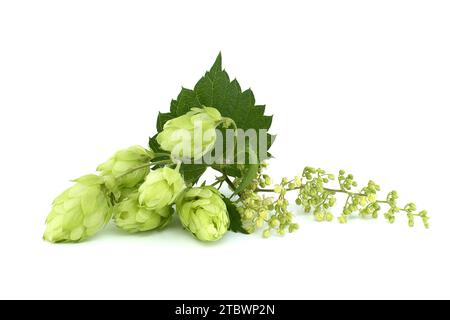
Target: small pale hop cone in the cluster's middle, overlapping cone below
161	188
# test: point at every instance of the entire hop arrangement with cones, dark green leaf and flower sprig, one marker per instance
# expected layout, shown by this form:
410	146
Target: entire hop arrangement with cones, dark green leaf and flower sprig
216	125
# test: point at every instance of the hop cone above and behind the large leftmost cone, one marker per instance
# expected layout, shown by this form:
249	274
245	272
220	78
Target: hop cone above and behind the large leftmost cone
115	169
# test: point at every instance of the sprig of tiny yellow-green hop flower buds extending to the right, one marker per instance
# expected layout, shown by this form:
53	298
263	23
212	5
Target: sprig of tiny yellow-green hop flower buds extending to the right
315	193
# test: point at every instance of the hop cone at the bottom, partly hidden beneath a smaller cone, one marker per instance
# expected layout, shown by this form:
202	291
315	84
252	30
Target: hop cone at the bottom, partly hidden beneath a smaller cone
130	216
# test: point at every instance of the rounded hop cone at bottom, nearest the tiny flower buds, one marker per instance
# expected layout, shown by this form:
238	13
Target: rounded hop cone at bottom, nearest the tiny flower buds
203	212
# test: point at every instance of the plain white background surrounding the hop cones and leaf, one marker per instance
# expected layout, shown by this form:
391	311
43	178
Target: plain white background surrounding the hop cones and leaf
362	85
